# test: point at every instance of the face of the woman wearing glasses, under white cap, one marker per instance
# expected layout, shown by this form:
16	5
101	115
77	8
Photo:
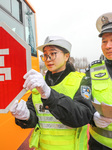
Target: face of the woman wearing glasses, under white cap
57	60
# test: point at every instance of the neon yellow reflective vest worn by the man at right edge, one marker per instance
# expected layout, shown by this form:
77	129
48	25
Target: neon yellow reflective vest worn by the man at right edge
102	92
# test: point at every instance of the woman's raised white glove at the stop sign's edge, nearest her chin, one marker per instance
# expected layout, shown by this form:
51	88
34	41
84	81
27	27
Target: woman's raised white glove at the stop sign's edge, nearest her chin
35	79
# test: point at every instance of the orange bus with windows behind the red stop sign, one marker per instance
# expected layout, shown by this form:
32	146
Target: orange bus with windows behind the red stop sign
20	16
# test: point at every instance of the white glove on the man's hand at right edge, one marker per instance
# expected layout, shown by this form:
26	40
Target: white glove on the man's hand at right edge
101	121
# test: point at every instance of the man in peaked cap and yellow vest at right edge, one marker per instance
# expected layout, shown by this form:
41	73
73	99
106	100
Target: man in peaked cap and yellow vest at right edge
101	77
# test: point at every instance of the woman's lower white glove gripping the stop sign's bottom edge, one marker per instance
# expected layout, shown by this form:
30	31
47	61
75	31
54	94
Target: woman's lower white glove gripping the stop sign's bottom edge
19	110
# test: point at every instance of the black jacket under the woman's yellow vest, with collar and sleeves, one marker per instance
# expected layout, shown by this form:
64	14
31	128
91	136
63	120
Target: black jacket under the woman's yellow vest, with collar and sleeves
74	113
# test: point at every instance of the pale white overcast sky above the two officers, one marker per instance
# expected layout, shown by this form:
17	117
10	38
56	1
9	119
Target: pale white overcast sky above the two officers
75	20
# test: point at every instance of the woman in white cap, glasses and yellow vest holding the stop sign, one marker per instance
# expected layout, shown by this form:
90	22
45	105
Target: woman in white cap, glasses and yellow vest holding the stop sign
60	80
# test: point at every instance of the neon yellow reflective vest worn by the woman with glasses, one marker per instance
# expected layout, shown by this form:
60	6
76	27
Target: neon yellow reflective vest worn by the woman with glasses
51	134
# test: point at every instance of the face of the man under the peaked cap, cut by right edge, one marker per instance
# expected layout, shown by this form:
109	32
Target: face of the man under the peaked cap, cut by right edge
107	45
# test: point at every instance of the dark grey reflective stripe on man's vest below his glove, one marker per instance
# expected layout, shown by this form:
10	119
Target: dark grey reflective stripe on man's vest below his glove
103	132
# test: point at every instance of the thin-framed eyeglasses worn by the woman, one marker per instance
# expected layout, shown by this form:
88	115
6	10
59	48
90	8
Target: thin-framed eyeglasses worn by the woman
51	56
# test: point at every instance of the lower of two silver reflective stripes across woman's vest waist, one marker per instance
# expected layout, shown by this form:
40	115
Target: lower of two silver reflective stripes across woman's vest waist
53	126
